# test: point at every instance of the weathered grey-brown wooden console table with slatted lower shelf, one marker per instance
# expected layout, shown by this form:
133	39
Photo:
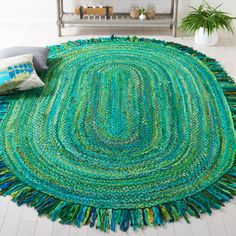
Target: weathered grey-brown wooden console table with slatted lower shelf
117	19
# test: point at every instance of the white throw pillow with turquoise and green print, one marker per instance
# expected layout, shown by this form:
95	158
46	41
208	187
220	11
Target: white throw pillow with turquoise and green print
18	73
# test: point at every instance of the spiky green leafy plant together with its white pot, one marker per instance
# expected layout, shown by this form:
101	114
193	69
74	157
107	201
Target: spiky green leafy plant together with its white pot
205	21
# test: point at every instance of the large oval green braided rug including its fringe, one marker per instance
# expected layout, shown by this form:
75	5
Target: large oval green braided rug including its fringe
126	132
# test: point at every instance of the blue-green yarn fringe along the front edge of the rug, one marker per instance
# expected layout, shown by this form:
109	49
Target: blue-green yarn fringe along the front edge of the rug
213	197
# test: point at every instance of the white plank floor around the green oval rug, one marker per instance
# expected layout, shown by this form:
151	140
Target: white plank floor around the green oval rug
23	221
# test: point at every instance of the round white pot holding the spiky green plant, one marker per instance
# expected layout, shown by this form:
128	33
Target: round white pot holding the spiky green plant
202	38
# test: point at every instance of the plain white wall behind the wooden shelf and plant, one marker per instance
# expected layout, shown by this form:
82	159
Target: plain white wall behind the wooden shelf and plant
45	10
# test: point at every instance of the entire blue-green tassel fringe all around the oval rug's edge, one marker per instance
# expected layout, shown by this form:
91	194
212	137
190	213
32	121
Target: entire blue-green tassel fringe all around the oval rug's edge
213	197
